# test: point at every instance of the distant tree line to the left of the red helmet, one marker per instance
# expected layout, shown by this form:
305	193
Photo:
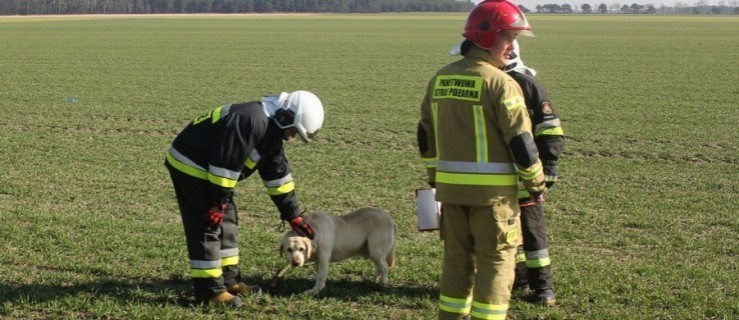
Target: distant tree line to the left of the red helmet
48	7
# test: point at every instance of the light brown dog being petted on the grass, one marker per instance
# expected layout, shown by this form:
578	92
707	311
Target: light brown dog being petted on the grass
368	232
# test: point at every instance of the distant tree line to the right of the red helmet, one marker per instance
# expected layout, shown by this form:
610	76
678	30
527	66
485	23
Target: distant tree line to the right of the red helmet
701	7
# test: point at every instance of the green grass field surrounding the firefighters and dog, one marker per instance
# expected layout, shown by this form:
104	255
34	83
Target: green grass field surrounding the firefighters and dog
643	223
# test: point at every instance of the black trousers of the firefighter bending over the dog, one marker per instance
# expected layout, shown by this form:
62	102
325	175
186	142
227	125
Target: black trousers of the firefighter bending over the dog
213	250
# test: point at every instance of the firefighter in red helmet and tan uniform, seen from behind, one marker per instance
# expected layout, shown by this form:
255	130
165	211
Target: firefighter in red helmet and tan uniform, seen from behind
475	138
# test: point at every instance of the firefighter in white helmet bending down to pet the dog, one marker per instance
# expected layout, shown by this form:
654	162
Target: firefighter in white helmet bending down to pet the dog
206	160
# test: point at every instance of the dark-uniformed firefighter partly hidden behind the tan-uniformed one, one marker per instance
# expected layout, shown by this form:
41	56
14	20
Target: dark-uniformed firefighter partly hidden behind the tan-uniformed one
534	265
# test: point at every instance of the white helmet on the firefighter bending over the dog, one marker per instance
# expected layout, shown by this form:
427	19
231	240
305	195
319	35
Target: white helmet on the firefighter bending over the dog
300	109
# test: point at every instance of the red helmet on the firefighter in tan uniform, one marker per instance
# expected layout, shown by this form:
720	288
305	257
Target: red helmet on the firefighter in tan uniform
492	16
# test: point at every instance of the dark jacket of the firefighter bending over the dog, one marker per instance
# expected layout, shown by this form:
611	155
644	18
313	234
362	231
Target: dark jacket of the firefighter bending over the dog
227	145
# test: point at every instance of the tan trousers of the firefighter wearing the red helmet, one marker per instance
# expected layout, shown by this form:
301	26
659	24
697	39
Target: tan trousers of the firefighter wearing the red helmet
479	258
